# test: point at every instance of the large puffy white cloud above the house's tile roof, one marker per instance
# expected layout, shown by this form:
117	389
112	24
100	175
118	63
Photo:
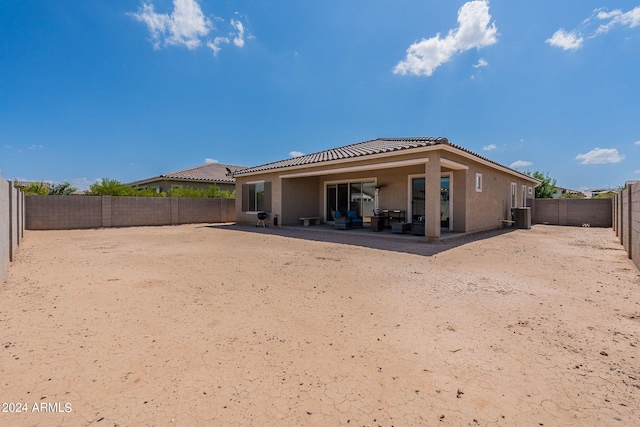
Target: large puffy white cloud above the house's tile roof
474	31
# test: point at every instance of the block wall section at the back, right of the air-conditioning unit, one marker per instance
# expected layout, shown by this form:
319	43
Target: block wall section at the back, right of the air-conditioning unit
572	212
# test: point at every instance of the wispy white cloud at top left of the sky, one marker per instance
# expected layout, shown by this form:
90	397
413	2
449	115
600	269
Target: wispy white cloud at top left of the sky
186	25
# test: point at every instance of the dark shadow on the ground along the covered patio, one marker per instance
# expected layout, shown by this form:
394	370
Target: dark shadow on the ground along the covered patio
367	239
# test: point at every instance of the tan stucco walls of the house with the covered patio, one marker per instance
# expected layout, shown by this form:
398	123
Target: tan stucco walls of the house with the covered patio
472	211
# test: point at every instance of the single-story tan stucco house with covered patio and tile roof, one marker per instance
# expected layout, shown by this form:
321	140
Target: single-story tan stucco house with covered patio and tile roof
429	183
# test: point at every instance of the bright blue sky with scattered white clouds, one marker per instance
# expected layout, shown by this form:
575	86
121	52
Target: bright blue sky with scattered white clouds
127	90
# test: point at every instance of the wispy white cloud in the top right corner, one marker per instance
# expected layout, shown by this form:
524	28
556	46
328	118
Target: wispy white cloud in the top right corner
605	22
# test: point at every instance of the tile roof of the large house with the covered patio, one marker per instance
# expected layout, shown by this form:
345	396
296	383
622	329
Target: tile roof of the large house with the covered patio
368	148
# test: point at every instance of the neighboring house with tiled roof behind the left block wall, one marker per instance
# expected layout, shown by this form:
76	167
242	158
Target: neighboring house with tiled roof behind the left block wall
200	177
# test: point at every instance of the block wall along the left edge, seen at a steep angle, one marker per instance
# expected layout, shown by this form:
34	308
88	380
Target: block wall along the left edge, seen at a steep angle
11	223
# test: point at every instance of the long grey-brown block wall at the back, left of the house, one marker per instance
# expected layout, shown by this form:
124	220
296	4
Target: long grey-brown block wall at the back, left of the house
75	212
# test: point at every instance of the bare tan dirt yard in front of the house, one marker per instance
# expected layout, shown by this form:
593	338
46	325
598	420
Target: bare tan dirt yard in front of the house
201	325
